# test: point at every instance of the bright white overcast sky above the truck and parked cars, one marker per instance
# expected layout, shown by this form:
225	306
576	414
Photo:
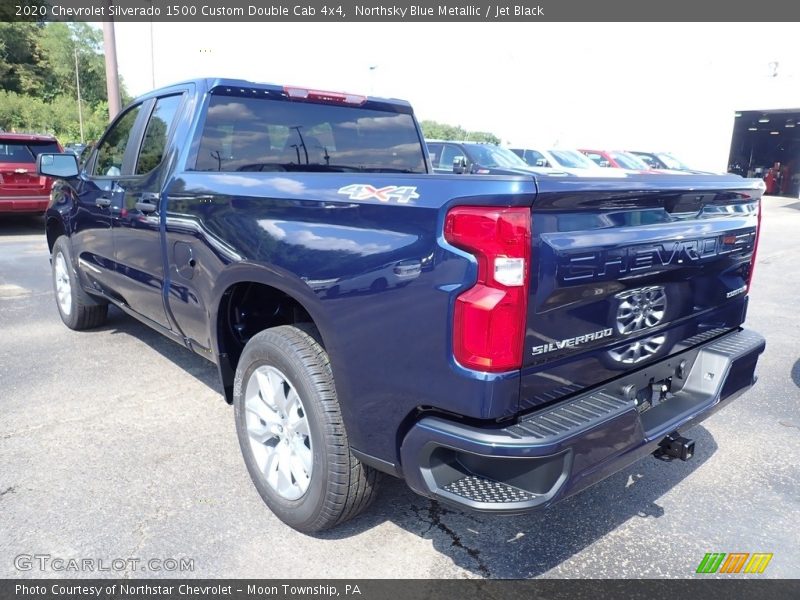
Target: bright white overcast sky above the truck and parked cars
638	86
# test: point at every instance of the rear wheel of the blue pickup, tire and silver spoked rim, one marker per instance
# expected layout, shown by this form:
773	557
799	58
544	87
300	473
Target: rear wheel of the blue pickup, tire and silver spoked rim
269	423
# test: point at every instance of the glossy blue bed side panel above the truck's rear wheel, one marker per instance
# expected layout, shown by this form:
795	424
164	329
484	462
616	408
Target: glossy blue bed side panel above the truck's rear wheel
388	335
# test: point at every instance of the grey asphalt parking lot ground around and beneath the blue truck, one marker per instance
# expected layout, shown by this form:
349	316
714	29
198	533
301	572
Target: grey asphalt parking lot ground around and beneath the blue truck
116	443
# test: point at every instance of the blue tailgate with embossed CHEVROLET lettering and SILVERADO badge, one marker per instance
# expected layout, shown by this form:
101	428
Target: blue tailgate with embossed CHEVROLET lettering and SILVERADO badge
628	272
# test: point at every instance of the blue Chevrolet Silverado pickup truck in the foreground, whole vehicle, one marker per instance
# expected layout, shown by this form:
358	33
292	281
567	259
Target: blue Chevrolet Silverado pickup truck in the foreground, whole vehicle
499	342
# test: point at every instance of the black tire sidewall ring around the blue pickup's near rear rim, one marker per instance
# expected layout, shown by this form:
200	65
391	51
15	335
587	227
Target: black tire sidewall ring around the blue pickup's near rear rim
275	351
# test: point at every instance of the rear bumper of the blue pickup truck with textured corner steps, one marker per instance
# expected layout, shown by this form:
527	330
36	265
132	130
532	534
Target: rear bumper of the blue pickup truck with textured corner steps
559	450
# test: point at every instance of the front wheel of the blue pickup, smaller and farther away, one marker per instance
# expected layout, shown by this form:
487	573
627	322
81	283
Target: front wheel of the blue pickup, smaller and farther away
78	309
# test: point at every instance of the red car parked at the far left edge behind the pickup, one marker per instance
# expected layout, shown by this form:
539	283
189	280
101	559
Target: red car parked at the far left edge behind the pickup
21	189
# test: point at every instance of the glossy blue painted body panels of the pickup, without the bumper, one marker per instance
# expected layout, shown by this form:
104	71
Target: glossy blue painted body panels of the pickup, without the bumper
377	277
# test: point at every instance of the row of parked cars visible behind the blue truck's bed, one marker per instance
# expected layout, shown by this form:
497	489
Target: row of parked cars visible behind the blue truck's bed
482	158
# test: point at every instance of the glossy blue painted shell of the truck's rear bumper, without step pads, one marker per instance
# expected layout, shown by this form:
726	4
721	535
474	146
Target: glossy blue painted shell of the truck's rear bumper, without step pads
582	455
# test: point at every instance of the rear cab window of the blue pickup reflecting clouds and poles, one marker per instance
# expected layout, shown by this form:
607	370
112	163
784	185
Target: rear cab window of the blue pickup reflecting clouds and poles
261	134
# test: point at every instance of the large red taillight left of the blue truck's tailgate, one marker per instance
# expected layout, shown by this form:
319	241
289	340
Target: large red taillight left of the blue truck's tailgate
489	321
